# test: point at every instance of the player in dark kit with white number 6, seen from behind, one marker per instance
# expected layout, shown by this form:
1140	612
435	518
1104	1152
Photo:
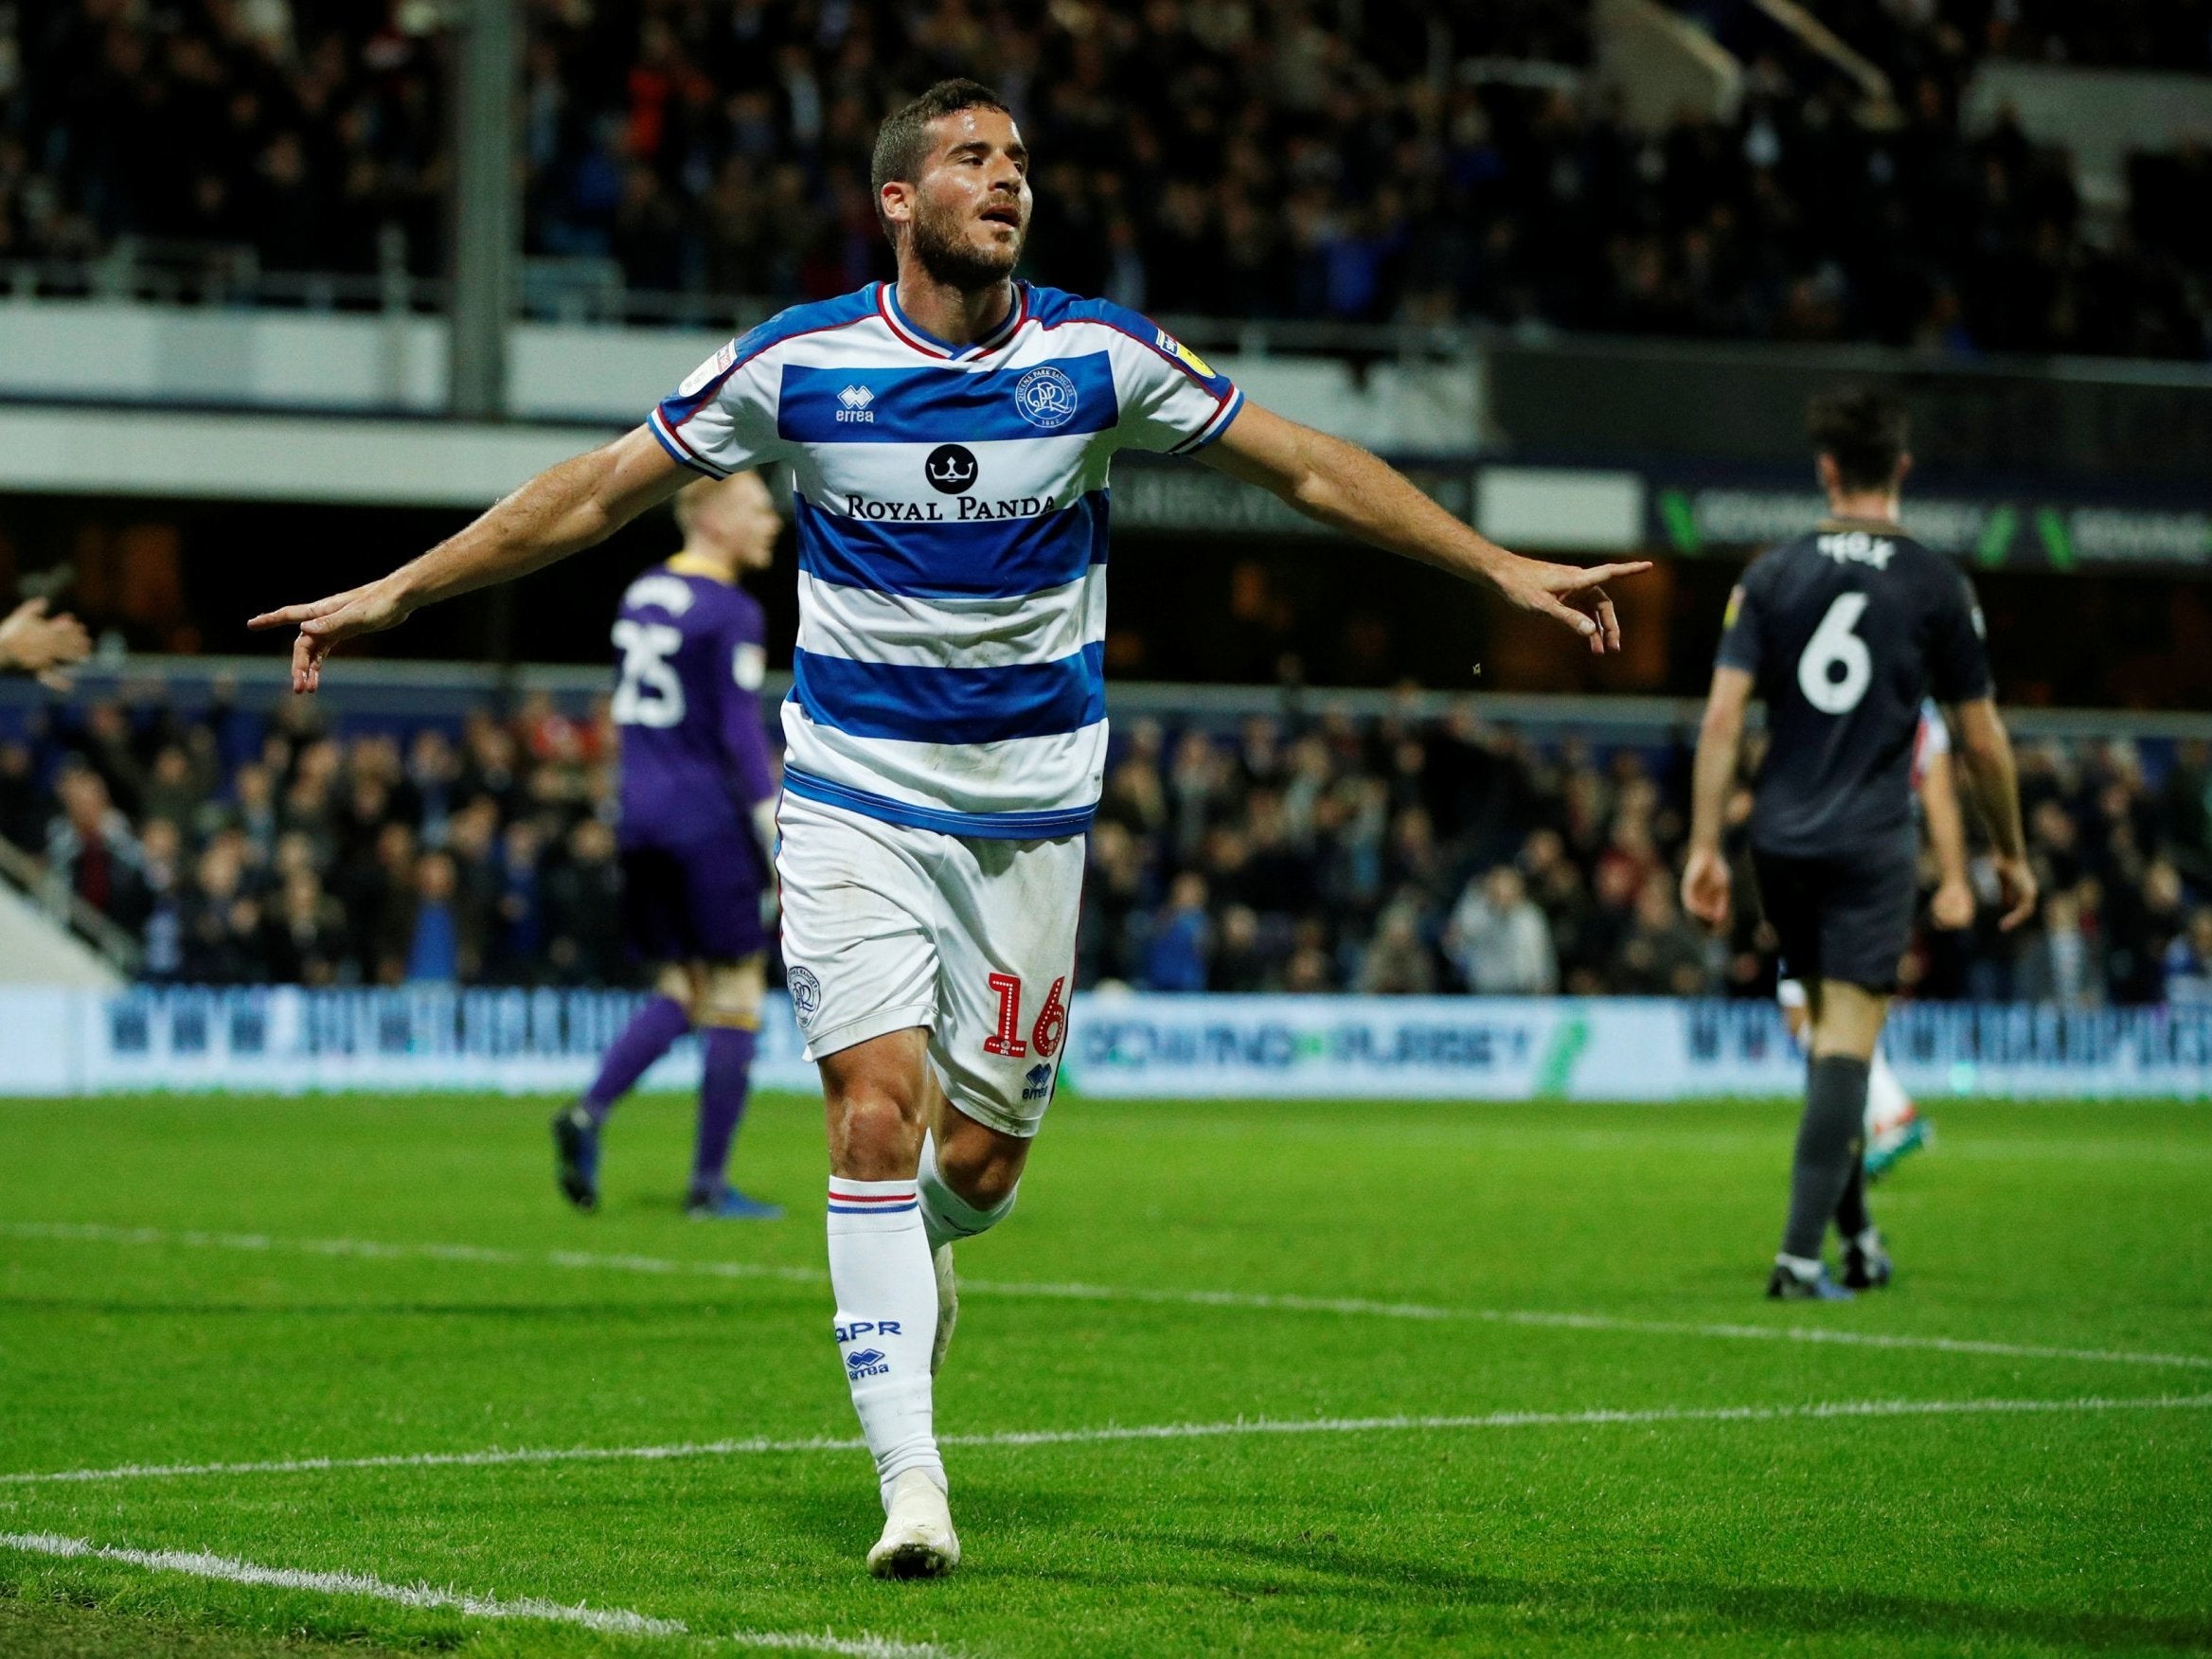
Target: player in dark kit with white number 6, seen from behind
1844	634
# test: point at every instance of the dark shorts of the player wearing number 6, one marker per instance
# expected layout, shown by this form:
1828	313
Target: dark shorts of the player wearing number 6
1841	919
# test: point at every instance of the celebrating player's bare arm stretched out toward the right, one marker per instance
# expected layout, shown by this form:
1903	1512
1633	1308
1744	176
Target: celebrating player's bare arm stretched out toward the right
1355	492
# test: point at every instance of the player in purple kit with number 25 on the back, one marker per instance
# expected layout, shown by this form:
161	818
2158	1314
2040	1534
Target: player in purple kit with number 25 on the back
698	831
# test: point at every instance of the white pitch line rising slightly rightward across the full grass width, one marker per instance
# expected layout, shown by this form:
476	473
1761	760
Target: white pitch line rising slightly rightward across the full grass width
1016	1439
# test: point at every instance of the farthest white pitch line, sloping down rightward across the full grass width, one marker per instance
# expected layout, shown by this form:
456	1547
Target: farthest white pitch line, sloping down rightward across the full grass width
1260	1302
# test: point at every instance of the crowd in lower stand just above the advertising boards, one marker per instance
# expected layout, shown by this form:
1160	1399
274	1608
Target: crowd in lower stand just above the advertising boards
1317	855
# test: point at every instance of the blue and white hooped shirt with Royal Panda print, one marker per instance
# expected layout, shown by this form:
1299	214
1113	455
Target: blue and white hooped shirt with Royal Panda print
952	541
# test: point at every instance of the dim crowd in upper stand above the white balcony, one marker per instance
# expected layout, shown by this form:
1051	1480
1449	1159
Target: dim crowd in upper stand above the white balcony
1229	158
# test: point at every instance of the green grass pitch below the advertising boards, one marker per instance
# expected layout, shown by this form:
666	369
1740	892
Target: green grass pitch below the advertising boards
1426	1379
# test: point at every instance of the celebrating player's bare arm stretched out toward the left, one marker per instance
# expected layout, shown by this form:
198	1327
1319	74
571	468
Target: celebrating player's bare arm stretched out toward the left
561	512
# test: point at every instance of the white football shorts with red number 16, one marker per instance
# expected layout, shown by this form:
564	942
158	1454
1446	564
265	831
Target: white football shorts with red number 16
890	928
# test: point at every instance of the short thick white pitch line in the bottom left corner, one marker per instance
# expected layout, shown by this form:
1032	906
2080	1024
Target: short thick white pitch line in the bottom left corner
623	1623
